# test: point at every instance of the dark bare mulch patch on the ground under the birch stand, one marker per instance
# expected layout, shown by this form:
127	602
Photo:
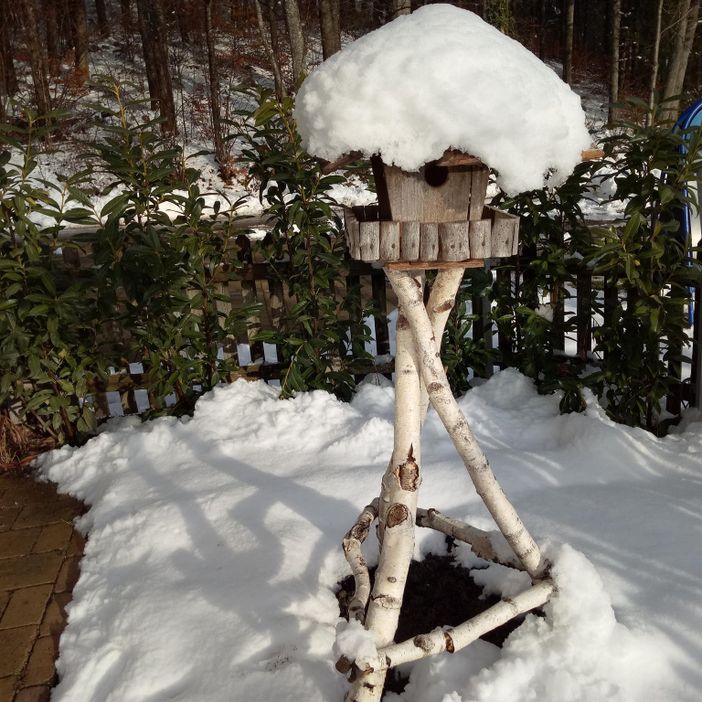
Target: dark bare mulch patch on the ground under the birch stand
439	592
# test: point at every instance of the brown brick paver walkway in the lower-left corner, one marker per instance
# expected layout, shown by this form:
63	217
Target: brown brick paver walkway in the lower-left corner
39	563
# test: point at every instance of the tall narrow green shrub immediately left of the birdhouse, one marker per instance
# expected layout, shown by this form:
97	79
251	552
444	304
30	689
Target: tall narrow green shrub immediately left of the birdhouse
321	337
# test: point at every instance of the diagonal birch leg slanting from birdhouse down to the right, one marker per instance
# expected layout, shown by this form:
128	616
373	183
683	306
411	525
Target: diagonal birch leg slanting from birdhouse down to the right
441	398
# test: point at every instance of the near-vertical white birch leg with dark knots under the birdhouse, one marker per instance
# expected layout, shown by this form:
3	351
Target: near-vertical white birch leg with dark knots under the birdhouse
399	492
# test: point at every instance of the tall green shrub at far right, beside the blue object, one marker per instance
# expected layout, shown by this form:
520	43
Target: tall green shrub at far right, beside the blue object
650	265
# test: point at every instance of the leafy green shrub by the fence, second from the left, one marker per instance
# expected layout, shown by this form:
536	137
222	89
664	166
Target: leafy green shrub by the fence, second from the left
162	262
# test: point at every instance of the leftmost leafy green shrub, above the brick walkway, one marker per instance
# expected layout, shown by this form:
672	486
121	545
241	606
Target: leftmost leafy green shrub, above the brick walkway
48	353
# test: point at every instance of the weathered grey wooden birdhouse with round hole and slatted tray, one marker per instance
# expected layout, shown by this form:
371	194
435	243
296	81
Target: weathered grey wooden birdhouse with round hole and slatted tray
435	214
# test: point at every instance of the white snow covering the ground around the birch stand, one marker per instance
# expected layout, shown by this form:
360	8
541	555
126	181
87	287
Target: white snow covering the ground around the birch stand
214	549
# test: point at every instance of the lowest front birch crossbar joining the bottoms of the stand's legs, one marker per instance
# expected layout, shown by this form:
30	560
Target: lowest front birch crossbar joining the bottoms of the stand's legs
453	639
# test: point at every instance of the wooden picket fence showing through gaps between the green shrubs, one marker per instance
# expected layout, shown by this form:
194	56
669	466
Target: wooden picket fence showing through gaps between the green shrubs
128	392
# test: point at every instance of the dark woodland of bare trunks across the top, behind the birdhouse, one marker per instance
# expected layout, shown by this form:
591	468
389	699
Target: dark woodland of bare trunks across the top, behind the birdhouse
50	49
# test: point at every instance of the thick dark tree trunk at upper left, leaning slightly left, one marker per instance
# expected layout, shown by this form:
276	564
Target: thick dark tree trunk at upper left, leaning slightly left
154	34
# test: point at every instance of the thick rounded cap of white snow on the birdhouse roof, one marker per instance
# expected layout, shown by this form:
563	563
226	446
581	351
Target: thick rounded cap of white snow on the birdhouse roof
443	78
